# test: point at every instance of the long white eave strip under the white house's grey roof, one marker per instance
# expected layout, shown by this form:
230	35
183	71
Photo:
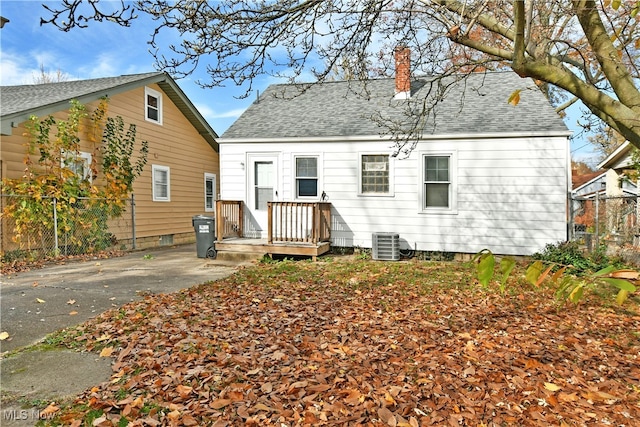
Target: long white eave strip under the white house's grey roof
436	137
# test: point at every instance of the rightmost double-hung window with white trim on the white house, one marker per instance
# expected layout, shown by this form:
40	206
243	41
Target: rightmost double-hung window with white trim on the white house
437	189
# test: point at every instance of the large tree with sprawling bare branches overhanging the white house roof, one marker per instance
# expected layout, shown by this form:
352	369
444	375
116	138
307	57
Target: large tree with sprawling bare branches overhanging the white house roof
575	49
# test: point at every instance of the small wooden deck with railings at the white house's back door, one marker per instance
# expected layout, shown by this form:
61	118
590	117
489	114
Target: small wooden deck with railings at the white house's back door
295	228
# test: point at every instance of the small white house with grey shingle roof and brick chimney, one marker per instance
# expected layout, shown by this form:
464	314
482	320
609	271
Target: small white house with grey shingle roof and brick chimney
483	173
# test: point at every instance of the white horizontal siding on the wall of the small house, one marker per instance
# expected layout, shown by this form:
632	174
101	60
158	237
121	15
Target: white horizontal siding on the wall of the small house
508	194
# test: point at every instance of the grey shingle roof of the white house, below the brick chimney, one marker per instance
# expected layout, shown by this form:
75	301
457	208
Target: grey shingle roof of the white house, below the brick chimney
476	105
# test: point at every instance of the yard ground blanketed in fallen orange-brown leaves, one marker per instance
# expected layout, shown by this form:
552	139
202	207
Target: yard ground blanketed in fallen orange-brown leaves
362	343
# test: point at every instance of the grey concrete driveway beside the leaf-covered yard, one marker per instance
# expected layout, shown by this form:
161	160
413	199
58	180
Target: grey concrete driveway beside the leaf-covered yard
38	302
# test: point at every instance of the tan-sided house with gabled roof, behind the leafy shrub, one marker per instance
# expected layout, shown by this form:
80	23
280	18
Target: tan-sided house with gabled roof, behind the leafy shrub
182	147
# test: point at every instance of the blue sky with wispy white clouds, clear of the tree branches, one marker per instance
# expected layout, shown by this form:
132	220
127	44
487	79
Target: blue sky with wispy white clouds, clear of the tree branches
105	50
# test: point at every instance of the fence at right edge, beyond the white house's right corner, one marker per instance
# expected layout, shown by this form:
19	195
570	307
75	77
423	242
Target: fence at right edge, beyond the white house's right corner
605	220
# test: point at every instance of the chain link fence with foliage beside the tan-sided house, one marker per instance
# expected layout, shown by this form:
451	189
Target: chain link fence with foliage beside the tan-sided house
34	228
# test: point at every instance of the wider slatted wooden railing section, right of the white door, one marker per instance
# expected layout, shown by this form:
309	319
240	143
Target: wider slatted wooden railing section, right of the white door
299	222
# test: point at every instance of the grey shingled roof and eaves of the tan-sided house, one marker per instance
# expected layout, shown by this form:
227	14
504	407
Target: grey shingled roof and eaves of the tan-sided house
18	103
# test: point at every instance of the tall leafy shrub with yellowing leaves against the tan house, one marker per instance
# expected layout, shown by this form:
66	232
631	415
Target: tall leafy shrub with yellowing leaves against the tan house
61	174
